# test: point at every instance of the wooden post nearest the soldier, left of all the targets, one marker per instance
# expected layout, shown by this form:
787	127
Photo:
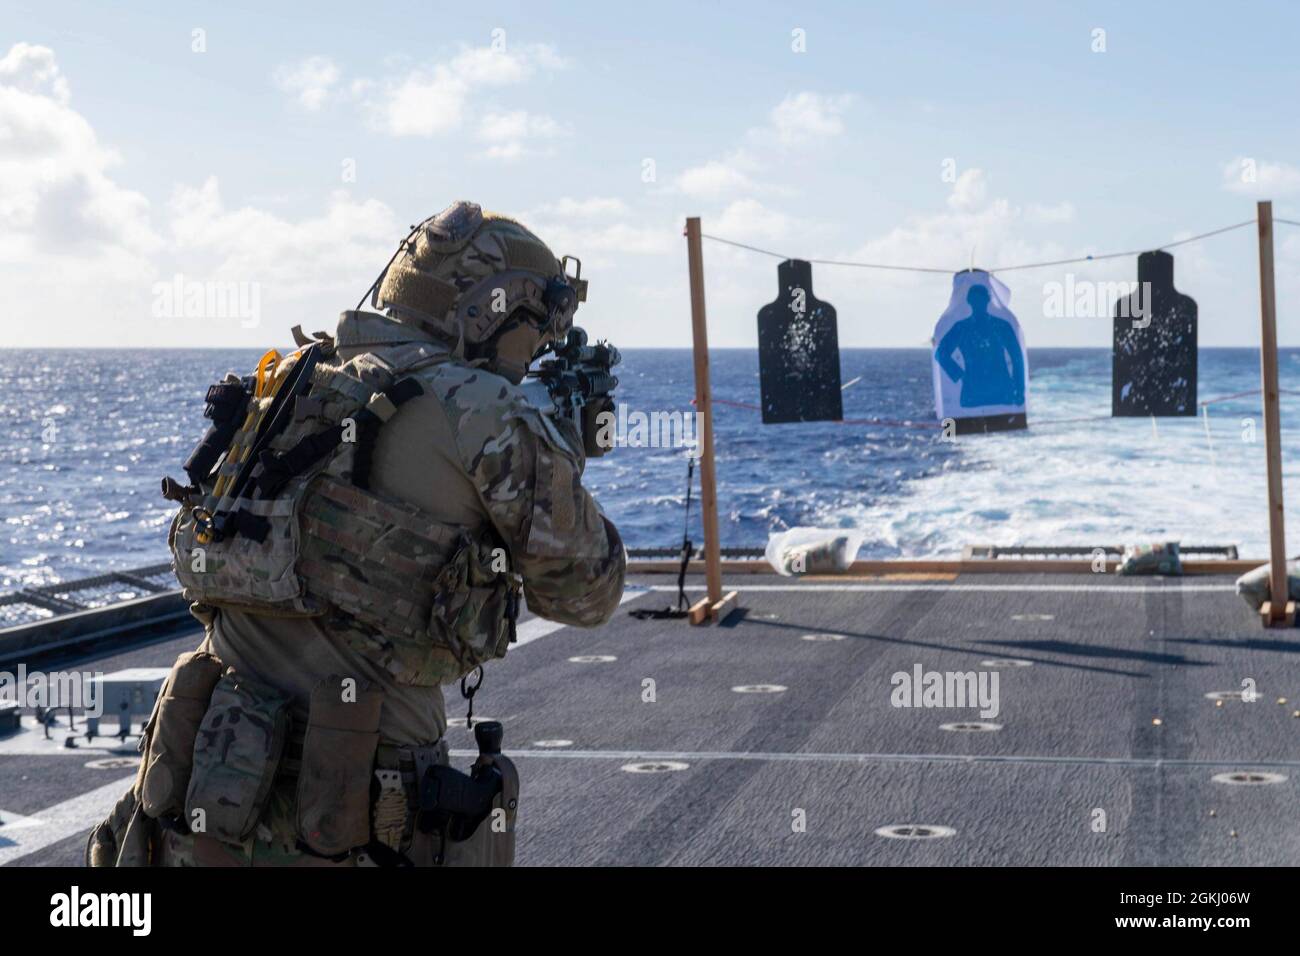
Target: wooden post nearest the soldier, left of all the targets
714	605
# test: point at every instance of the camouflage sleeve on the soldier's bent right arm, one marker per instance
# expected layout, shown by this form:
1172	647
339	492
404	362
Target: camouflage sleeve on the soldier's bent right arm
531	482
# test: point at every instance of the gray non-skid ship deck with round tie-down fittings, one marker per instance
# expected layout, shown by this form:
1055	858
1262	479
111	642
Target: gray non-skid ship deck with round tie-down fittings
1078	734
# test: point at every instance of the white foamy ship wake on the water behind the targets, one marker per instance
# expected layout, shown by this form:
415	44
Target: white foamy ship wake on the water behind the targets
1086	483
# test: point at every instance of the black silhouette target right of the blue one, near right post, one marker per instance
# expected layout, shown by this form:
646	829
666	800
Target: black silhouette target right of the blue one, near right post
1154	357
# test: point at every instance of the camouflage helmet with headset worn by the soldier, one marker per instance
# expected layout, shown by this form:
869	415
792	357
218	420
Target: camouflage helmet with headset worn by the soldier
462	274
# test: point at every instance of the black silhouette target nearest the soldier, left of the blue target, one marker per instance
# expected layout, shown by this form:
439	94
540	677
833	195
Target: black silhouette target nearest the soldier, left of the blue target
799	352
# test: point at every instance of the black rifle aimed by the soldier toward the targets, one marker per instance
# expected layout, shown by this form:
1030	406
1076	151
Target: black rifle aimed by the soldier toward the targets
578	386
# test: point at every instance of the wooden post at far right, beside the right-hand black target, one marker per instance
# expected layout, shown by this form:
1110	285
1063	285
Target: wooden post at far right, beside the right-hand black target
1279	609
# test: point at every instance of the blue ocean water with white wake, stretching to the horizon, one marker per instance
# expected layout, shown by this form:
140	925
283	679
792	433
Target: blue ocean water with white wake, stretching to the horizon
89	435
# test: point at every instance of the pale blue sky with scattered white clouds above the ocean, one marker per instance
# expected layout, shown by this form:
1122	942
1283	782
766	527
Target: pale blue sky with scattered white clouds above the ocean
213	175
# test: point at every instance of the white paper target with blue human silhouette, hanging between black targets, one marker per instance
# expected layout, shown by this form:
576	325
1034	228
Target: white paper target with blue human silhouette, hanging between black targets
980	362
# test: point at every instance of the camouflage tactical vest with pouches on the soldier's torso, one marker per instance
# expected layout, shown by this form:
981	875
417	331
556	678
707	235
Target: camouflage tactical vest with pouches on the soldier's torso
287	524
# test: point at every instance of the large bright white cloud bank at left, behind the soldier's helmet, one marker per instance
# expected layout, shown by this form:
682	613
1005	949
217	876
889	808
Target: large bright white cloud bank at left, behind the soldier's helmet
88	252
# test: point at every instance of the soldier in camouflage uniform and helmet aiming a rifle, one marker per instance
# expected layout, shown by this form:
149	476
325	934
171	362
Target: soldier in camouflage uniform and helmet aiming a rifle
315	702
